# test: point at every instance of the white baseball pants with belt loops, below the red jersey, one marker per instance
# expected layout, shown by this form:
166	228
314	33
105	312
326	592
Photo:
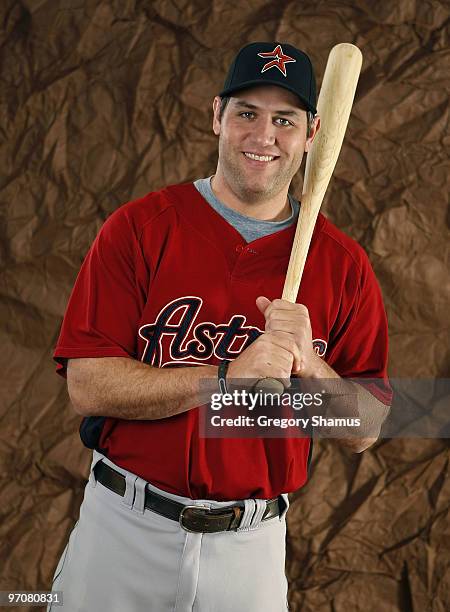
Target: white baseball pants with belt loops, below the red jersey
122	557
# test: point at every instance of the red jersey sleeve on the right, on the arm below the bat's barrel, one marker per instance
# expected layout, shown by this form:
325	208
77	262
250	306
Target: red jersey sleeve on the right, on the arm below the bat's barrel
359	348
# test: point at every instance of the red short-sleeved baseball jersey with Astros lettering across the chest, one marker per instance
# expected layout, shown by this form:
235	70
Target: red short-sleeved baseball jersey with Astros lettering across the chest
169	281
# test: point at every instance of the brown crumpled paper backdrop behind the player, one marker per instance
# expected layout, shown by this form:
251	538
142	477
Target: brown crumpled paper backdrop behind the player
103	101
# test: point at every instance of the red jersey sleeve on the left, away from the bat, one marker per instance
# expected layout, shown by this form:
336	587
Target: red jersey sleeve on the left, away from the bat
104	308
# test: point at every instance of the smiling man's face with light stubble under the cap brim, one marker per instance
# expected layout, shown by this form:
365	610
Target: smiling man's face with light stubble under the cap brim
262	138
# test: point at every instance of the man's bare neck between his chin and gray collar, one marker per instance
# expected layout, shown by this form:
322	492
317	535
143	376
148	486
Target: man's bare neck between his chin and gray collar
276	208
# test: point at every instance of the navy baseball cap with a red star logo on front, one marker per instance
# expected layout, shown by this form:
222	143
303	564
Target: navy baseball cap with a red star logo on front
273	63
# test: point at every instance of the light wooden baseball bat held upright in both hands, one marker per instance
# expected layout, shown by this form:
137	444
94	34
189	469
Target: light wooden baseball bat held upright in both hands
334	107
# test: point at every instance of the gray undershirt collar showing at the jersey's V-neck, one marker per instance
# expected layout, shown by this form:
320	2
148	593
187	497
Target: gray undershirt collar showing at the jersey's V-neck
250	229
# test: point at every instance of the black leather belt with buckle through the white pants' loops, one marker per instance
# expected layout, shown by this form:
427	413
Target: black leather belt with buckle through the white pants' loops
192	518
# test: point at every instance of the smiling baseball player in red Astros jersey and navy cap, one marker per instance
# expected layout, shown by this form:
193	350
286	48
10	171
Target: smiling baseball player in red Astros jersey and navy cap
179	286
